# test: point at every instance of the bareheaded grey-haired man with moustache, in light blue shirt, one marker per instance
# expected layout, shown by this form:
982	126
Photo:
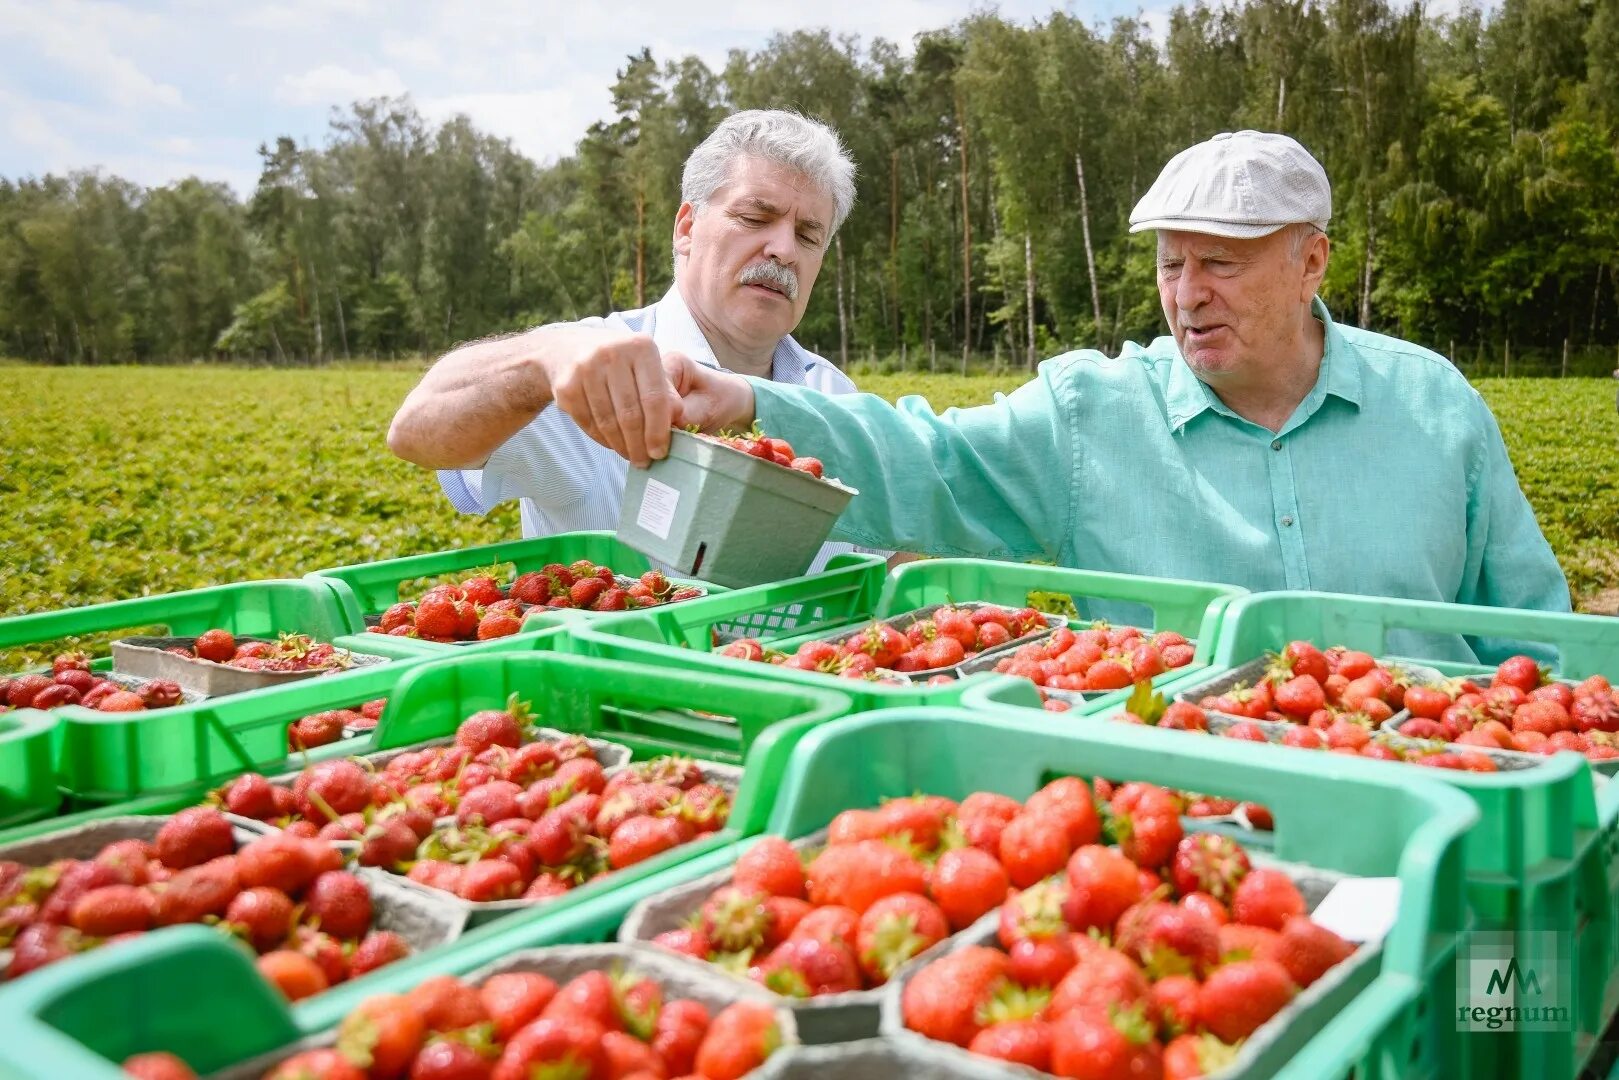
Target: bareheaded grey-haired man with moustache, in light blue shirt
762	200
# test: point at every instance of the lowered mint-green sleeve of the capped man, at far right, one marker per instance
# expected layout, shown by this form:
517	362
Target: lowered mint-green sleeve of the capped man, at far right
1510	564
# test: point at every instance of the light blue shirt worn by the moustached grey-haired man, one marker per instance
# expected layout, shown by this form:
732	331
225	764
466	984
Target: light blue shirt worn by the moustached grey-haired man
571	483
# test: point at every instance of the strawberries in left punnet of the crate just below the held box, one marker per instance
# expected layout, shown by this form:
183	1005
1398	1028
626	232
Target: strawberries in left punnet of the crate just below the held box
946	639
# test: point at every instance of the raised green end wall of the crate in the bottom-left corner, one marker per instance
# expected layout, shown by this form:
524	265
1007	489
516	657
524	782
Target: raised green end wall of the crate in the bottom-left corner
239	1013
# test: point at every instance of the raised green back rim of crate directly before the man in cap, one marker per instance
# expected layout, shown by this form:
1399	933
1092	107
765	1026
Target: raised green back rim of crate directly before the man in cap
1191	608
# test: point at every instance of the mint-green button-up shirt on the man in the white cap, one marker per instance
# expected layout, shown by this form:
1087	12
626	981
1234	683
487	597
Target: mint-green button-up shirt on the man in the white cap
1388	480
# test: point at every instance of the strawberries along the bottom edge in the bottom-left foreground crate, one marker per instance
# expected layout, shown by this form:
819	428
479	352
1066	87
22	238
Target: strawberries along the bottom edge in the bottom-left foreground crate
519	1026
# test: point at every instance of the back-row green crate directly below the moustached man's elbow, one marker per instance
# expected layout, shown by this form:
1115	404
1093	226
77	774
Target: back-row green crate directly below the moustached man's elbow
370	589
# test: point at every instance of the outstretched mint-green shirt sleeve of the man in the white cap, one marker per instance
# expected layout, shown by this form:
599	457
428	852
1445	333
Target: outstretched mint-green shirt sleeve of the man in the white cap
992	482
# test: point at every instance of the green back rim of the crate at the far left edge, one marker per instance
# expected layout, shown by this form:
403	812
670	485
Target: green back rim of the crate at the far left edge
289	603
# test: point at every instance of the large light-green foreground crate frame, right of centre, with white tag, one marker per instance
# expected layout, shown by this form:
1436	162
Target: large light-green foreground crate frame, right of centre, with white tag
1408	830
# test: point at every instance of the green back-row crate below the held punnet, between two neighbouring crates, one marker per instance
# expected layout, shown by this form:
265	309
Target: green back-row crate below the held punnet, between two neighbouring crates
854	590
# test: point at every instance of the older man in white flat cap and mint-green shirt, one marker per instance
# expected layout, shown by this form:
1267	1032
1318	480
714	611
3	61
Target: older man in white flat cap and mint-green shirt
1260	444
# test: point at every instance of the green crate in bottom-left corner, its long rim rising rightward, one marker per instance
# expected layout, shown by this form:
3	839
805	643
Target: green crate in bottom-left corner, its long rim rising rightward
82	1019
